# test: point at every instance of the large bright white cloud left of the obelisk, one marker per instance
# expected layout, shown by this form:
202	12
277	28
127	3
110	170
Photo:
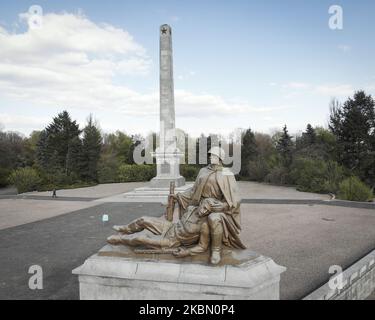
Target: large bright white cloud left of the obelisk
71	61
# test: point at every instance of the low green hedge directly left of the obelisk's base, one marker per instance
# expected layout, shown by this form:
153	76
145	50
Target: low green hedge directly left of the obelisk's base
136	172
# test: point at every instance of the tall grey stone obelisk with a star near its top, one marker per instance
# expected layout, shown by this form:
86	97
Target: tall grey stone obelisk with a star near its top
167	154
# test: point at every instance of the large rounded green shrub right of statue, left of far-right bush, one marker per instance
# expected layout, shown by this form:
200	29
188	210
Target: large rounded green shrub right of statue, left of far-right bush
314	175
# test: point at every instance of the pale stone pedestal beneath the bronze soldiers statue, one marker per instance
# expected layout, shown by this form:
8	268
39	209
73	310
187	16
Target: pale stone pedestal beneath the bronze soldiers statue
117	273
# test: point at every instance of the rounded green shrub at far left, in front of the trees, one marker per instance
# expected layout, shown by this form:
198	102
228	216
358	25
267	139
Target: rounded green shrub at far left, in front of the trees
25	179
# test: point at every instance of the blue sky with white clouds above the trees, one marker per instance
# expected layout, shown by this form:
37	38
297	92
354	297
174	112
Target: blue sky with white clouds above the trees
237	64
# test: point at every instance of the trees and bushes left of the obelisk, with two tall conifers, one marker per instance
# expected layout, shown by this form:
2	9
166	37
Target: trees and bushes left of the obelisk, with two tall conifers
64	156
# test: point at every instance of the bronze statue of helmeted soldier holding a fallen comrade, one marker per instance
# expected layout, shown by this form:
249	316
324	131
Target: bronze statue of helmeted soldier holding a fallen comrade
210	217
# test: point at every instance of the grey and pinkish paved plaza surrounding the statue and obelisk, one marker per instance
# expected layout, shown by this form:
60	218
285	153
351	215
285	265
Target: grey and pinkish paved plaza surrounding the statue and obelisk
307	233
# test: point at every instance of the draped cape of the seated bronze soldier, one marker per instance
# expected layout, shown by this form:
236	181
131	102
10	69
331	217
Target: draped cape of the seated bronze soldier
215	190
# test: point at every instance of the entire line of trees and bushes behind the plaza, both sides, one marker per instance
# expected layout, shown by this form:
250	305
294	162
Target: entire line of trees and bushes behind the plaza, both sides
327	160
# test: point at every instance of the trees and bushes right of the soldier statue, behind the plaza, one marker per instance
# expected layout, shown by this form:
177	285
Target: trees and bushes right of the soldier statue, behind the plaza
338	160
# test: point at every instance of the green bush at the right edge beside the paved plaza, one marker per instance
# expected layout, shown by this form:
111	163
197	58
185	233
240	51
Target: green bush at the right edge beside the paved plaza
353	189
